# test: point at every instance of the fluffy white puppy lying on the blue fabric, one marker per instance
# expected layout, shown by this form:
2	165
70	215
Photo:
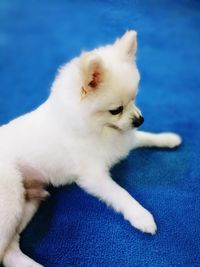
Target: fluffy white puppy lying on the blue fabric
87	125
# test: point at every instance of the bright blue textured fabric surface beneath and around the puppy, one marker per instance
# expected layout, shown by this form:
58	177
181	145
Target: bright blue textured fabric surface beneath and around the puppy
73	228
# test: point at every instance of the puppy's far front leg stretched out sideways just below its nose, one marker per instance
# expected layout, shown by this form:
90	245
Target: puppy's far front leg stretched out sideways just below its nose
145	139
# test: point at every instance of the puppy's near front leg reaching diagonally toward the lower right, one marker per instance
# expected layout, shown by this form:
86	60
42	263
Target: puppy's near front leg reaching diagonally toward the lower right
103	187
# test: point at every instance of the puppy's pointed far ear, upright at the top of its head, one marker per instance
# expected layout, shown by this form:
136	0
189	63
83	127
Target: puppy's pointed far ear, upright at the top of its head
127	45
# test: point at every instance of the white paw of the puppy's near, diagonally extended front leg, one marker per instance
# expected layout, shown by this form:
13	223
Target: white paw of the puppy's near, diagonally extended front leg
144	222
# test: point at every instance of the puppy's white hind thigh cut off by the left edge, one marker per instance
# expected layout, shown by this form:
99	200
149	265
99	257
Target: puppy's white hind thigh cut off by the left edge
11	204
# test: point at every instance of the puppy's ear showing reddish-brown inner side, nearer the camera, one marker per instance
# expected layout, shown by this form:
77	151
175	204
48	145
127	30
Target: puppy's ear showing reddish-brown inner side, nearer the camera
92	71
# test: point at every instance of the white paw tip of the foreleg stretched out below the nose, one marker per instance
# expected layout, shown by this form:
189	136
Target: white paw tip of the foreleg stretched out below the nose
170	140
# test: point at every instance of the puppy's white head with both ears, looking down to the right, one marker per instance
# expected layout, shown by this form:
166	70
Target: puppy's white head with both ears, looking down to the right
109	78
